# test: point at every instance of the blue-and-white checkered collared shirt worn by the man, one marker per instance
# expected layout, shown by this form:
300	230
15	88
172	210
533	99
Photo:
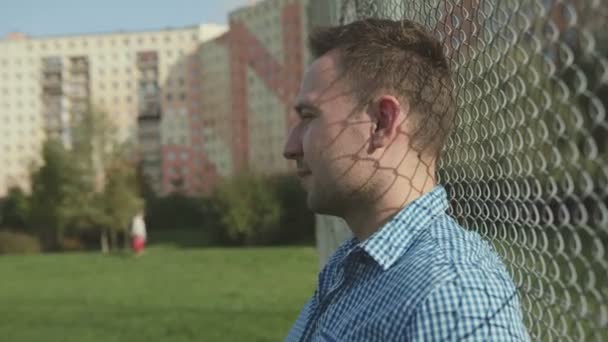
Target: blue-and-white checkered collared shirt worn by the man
421	277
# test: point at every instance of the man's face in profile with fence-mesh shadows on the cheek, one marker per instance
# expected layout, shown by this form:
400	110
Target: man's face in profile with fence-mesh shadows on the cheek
330	139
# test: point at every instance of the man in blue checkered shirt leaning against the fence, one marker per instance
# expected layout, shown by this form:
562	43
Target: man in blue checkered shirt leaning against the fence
375	109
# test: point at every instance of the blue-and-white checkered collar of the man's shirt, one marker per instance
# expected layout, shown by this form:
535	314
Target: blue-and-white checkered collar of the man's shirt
394	238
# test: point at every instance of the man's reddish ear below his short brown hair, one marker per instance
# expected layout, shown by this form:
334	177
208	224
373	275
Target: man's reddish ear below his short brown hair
386	117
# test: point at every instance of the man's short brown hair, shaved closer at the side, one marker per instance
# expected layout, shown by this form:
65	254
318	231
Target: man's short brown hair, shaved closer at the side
399	56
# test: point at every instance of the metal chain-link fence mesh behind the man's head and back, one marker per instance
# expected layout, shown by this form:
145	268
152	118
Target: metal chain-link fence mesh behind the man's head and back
527	164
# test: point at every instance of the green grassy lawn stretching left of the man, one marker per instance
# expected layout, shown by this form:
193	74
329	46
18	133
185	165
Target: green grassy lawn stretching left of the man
169	294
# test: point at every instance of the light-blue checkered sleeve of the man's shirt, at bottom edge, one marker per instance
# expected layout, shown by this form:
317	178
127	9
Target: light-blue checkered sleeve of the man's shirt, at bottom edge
476	305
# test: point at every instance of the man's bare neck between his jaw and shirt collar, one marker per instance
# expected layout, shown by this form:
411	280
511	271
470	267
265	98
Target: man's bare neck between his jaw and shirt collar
364	220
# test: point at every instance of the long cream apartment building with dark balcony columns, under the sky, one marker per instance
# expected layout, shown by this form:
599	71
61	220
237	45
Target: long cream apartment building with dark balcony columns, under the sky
140	79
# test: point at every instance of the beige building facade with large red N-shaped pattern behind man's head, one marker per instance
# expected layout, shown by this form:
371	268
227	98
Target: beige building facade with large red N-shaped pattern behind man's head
267	60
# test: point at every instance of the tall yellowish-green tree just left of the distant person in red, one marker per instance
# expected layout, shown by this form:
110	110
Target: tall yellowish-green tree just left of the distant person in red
111	199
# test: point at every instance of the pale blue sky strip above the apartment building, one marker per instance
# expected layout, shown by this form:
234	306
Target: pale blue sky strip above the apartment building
63	17
